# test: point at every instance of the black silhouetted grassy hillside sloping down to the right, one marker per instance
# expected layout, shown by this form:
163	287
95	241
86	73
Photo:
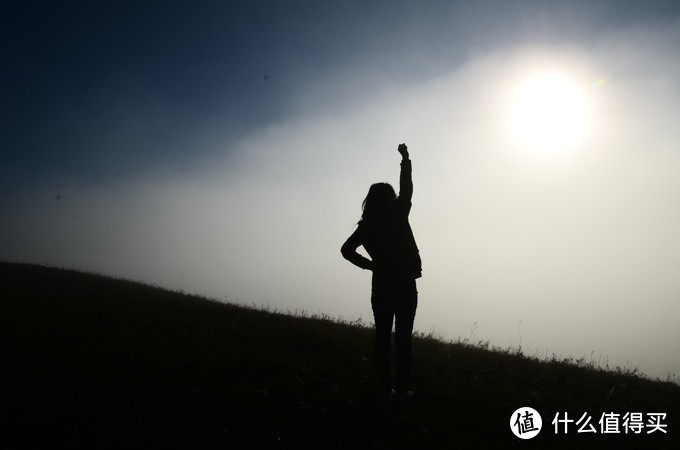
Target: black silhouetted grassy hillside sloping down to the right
94	362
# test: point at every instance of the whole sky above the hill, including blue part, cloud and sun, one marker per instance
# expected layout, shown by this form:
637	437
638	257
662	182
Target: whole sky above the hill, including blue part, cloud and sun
224	149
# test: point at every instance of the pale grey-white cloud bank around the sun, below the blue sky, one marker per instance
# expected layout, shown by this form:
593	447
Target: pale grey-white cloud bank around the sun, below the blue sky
581	248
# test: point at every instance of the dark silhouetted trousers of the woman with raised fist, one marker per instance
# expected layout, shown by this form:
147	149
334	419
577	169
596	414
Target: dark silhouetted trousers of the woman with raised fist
393	300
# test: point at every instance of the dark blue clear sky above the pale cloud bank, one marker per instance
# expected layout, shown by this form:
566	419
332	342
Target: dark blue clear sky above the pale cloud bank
79	75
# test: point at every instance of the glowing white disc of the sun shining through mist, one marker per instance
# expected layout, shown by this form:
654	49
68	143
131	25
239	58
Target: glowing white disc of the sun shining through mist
548	112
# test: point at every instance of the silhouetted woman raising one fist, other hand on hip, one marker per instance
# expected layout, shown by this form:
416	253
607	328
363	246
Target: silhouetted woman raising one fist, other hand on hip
385	233
